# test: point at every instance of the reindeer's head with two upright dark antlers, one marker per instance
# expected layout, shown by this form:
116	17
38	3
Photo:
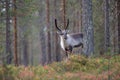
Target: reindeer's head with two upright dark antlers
63	33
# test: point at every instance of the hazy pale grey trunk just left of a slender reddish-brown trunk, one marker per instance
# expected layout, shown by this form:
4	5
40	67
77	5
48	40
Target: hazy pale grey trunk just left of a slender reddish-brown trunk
42	33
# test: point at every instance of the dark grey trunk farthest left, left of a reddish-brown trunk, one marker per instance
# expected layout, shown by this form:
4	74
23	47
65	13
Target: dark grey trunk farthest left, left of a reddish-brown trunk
8	39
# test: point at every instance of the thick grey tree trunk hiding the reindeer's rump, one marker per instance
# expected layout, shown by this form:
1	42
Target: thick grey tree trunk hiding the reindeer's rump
87	24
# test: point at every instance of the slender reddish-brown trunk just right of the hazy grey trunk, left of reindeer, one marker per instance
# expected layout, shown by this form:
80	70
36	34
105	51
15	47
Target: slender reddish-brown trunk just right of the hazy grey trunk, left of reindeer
48	32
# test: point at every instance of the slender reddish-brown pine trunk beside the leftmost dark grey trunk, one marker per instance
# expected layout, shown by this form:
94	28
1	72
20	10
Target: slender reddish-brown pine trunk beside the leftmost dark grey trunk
15	35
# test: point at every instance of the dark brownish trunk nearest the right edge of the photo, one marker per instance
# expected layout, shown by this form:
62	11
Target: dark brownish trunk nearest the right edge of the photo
114	24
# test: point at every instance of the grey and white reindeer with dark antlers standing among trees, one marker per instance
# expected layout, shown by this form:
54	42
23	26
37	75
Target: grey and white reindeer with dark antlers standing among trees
69	41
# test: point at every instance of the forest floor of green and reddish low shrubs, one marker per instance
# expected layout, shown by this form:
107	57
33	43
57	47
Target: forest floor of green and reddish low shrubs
76	68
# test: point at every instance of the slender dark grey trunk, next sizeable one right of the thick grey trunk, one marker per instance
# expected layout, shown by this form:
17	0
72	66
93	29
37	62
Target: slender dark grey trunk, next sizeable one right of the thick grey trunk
106	23
